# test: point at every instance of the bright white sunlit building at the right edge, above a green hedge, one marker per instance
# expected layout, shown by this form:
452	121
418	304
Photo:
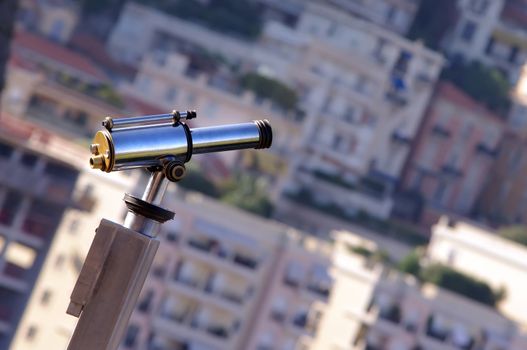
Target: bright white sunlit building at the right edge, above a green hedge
478	251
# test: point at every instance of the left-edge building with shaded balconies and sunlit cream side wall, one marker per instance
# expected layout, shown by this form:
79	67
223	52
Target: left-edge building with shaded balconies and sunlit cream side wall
45	189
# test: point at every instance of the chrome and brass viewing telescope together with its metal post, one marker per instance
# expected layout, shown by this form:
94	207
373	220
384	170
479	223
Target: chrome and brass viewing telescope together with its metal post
120	256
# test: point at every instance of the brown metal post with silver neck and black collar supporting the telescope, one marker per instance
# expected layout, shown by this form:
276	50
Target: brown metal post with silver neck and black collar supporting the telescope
115	270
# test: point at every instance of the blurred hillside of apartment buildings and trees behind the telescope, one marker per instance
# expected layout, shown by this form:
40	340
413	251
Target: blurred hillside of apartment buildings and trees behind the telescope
389	214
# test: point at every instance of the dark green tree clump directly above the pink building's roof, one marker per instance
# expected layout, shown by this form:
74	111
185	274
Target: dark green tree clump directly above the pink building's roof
487	85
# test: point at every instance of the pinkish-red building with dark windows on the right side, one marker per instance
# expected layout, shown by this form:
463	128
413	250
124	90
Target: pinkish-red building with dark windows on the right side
451	159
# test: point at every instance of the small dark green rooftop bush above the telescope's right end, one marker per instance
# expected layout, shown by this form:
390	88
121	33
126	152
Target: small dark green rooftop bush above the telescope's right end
265	87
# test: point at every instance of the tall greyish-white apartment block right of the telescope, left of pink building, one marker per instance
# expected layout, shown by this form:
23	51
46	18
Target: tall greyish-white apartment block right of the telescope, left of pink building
365	91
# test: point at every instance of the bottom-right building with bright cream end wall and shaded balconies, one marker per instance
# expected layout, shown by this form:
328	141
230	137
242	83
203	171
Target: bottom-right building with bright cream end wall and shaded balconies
373	308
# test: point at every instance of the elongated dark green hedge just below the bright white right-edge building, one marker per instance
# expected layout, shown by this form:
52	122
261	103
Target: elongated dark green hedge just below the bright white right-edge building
460	283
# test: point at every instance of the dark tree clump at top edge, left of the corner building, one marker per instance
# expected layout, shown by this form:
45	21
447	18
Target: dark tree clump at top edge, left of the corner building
432	22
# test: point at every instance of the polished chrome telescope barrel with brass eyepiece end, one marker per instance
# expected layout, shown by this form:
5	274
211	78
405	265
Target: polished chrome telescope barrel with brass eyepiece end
147	145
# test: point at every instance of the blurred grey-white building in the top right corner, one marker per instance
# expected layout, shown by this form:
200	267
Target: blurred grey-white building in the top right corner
492	32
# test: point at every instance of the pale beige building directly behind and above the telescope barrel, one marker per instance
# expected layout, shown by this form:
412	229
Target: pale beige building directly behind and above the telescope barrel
168	80
